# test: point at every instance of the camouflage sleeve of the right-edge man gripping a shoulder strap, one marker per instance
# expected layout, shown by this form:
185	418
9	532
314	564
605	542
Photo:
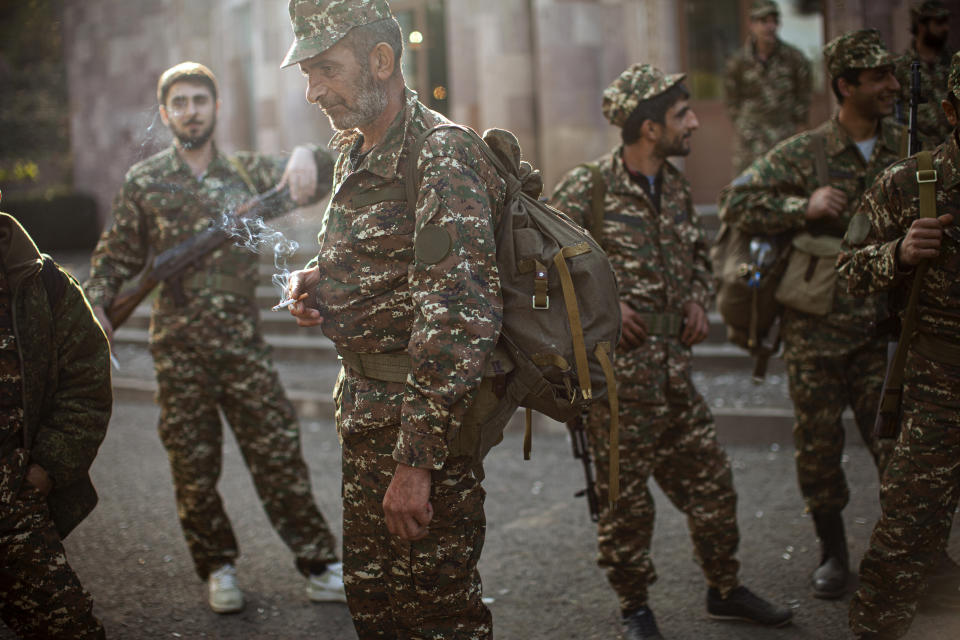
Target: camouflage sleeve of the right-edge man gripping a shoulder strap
870	263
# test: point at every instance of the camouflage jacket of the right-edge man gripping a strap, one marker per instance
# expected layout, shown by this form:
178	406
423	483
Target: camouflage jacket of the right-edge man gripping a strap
890	206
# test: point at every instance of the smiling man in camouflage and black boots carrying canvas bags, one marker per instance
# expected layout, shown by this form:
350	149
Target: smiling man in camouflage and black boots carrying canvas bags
835	358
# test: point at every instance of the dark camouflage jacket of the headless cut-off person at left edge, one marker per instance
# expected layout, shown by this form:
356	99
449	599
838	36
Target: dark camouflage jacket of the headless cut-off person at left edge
65	367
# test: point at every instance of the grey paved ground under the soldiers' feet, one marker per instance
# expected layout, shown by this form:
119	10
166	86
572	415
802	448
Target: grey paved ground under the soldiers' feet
537	566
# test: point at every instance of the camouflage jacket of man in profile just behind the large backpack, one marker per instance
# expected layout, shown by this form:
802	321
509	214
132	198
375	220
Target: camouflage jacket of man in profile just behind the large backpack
661	262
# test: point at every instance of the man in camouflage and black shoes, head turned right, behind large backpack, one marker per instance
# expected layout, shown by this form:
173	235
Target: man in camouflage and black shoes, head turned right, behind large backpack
658	249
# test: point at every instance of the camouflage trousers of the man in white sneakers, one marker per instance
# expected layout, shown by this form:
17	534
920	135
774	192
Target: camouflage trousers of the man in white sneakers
242	383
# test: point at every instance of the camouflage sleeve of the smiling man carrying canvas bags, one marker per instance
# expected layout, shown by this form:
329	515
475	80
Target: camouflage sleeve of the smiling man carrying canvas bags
771	195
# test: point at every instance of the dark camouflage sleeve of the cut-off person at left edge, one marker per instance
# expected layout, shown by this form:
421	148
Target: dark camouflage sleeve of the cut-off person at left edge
75	422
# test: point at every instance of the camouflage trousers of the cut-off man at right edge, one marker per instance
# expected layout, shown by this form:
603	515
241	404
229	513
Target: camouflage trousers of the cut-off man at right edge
918	497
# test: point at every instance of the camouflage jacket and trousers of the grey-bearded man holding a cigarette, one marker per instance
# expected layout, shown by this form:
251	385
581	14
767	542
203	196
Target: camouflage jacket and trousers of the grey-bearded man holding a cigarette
376	295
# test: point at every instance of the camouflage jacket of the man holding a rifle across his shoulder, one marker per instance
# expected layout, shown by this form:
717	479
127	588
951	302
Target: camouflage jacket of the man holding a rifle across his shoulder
161	204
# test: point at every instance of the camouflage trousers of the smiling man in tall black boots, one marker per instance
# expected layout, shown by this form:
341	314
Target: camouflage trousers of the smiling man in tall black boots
821	388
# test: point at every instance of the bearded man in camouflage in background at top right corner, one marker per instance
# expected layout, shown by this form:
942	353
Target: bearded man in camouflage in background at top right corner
929	24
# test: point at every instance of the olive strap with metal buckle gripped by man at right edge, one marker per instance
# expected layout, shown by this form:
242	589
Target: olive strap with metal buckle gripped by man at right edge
892	392
